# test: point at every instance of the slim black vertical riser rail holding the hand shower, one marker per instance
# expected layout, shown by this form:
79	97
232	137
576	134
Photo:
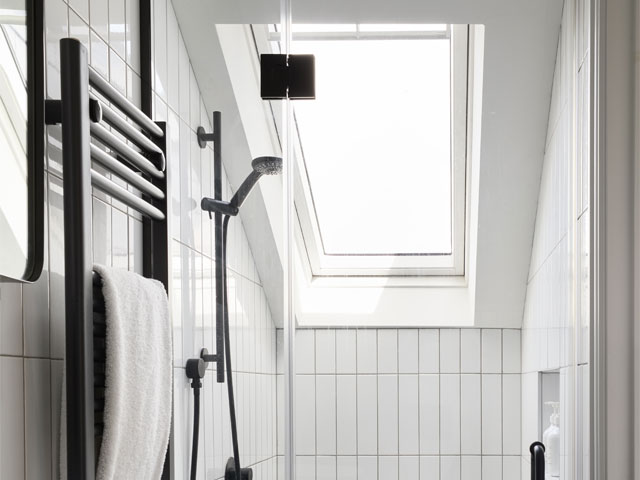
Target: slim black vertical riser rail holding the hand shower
220	262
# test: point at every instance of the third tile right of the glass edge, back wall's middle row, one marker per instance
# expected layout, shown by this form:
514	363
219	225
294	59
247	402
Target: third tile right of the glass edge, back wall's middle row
346	415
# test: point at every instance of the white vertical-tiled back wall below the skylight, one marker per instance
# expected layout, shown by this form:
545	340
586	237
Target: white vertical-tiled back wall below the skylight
399	408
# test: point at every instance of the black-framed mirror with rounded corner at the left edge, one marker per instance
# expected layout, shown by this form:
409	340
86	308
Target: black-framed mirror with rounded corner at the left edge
21	139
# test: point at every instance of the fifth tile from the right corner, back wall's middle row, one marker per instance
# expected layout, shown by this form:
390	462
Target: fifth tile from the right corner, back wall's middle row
429	392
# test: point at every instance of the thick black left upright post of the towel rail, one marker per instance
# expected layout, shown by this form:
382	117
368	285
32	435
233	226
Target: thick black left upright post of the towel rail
74	86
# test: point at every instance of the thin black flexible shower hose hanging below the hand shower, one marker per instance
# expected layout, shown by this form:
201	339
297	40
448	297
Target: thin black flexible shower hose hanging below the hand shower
196	384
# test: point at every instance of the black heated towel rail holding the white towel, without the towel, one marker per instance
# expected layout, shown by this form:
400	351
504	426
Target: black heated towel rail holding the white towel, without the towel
136	155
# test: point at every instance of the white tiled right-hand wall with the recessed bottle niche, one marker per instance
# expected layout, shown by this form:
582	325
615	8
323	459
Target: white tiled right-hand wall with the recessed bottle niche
555	332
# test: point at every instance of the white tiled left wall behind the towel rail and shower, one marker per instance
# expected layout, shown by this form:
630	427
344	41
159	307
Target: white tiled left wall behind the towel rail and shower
32	316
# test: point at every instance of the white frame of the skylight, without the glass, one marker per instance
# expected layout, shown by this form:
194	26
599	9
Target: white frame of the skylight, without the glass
322	264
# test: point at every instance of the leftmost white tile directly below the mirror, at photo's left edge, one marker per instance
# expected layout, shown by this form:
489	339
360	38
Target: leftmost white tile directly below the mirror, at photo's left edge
10	318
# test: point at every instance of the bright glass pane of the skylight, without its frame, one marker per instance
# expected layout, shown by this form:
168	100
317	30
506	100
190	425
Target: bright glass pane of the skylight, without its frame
376	145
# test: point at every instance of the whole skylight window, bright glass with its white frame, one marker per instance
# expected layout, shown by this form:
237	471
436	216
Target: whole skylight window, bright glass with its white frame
382	150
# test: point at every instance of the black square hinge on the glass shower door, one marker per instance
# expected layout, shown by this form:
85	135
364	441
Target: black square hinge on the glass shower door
287	76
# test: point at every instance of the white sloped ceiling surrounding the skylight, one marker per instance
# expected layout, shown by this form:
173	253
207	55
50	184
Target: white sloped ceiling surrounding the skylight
519	54
